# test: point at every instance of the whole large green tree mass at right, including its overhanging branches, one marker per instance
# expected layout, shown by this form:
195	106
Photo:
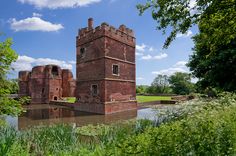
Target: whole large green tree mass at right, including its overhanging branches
213	61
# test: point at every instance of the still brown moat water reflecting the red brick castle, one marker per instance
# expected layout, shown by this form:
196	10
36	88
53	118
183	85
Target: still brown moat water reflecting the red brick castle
36	115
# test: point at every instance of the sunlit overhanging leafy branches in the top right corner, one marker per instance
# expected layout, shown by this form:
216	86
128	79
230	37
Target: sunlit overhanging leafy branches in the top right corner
218	17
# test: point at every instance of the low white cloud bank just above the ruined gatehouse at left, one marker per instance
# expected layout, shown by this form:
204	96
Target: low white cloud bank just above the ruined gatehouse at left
27	63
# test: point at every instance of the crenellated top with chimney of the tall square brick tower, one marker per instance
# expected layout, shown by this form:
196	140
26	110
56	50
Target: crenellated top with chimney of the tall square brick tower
122	34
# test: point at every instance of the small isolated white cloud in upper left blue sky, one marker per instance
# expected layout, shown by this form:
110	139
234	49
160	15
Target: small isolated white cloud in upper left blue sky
34	24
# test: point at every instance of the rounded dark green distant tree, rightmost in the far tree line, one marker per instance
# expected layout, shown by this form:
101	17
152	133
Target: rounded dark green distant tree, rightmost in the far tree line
181	83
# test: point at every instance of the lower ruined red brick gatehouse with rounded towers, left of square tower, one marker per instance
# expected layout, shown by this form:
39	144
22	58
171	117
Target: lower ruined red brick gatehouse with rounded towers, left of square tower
46	83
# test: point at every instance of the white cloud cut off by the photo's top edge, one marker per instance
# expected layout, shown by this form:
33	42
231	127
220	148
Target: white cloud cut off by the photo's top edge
54	4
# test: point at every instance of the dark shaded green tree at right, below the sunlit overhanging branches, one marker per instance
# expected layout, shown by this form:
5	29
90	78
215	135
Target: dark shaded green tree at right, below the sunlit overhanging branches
217	70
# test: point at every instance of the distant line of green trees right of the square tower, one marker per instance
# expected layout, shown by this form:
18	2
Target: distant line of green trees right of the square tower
179	83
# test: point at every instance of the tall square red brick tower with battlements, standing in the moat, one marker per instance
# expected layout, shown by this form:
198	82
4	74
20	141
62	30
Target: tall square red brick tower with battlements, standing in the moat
105	69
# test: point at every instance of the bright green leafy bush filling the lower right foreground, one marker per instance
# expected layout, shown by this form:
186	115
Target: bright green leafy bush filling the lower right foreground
209	131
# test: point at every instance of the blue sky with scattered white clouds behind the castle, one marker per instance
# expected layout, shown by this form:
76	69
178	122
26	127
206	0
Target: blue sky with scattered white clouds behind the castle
44	32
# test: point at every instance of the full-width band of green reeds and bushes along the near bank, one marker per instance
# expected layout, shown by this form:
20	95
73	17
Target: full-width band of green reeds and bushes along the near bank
209	128
